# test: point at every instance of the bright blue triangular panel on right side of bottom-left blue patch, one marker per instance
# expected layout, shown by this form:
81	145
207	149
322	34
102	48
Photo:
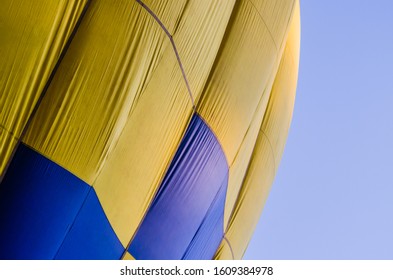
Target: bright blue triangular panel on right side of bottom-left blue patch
91	236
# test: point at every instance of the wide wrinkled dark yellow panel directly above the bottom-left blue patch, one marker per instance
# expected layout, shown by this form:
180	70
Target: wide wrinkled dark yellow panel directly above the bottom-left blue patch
108	65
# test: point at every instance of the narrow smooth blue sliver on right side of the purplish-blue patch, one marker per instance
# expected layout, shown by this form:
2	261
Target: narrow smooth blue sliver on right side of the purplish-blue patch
209	235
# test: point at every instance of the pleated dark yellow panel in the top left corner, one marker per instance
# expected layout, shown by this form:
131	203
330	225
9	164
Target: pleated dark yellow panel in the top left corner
33	34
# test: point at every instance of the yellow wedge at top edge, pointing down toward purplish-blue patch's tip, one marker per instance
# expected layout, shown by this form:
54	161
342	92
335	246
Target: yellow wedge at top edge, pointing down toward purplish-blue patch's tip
198	38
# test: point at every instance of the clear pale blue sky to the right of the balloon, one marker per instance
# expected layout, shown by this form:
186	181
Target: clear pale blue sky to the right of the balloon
333	194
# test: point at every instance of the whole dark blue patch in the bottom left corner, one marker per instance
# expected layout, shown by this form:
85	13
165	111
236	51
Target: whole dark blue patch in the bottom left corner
48	213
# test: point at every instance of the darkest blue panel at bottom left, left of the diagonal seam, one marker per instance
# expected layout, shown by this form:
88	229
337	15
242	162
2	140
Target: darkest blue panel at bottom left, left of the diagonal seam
39	201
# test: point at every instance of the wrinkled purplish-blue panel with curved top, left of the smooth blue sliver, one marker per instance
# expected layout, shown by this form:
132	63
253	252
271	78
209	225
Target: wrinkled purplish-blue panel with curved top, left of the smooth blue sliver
190	186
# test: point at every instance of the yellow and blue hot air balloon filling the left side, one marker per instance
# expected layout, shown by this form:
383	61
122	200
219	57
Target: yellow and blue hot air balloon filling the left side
141	129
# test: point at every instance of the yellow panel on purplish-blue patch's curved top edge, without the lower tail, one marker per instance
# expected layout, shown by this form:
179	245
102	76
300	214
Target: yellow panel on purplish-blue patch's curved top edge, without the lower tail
239	77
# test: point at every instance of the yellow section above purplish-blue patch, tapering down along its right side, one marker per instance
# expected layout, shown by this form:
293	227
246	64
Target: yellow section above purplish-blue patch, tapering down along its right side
235	97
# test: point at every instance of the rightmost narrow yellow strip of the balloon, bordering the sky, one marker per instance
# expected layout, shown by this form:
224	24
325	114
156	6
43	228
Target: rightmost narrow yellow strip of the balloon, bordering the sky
268	149
